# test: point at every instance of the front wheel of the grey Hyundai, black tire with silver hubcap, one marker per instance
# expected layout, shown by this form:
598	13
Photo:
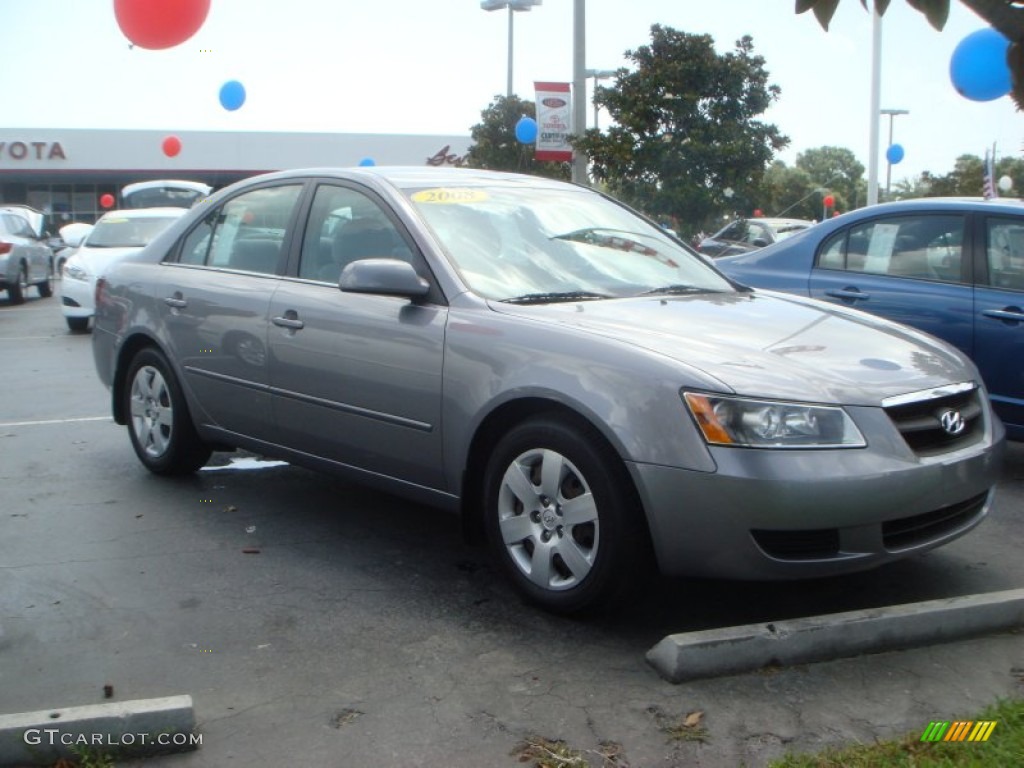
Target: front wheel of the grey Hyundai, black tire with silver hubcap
563	566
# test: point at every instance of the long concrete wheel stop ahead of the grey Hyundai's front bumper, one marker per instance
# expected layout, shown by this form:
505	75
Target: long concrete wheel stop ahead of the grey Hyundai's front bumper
734	650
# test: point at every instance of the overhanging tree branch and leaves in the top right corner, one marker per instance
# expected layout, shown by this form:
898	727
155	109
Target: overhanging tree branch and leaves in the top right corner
1005	16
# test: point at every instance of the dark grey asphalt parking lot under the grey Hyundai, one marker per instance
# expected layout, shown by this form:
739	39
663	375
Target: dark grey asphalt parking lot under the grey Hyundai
318	623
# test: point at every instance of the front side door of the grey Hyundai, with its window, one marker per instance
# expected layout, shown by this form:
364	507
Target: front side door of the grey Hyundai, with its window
357	378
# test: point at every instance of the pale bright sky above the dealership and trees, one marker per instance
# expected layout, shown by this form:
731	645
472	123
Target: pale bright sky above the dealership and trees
431	67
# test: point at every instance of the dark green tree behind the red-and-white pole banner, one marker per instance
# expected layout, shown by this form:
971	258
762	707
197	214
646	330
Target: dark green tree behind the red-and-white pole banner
496	147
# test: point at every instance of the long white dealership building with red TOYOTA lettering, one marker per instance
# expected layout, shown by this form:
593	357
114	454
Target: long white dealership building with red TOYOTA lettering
66	173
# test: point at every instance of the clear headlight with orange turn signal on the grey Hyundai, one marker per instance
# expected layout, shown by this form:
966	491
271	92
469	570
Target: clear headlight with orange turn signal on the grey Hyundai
750	423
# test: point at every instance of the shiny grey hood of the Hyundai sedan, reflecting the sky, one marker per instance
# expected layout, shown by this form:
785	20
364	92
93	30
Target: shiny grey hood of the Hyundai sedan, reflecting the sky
771	346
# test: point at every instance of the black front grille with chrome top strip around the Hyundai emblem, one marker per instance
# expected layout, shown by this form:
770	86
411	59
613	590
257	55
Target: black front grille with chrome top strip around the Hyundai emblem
920	419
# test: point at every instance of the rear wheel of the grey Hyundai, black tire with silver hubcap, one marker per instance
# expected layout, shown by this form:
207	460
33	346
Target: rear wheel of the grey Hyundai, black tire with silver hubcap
159	424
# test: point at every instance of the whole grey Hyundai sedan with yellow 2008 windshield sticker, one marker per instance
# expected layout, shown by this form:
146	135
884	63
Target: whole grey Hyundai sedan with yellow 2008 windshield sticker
588	393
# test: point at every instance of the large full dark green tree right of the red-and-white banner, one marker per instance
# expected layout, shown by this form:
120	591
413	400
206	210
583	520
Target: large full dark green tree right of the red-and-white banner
686	143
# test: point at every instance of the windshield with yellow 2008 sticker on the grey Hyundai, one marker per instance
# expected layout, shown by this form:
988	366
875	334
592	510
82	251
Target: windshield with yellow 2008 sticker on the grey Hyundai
542	245
